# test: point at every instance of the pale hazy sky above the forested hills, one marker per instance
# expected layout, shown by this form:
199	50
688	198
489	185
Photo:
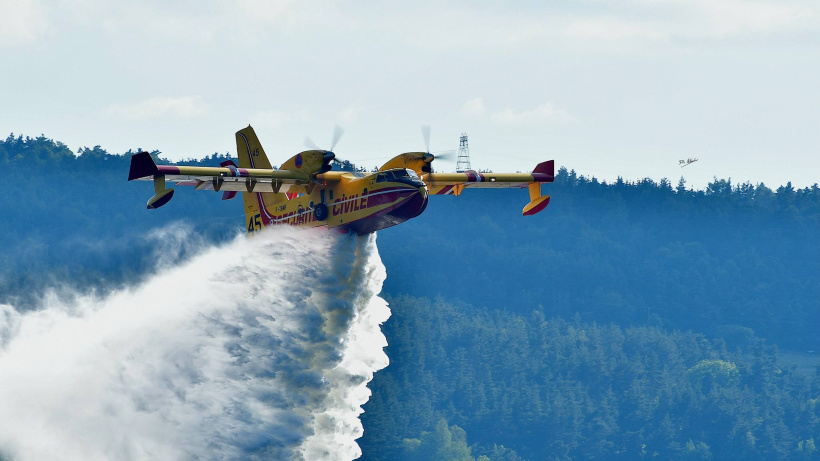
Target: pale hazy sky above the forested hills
609	88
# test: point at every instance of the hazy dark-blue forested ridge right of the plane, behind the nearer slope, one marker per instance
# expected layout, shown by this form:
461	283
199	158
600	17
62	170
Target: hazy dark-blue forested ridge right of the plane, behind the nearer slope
729	261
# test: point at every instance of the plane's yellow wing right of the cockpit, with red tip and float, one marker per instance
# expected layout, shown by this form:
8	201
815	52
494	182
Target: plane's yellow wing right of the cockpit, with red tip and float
455	183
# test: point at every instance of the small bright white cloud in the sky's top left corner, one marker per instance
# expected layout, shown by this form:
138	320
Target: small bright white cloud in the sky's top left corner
22	21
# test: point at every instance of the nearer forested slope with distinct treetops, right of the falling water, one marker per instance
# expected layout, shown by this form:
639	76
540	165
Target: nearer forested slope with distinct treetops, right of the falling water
532	387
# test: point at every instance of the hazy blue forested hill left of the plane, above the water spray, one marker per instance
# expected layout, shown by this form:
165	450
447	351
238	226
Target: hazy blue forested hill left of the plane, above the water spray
75	220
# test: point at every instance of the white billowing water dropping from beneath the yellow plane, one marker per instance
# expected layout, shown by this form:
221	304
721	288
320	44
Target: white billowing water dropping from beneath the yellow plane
259	349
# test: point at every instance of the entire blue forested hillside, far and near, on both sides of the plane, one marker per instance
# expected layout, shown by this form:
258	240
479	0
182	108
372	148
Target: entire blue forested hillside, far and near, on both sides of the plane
626	320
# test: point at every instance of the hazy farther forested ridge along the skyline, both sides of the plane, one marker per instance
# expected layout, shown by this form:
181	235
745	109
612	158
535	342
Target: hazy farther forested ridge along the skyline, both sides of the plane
734	260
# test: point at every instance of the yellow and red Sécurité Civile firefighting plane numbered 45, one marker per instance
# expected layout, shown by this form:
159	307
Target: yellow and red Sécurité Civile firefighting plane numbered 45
306	192
